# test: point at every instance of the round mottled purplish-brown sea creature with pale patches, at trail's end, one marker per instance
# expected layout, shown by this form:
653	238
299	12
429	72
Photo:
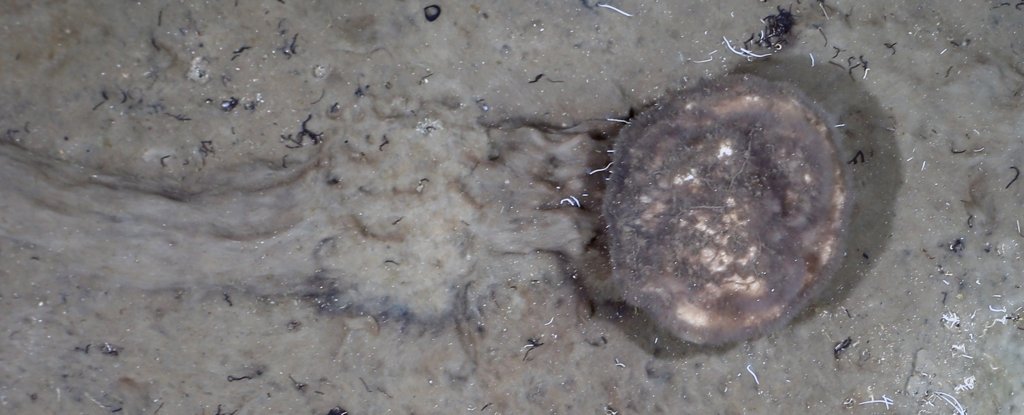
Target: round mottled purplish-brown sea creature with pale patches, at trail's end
727	209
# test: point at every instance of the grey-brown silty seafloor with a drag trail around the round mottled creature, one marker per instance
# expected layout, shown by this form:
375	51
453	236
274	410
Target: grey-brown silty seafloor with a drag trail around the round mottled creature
328	207
